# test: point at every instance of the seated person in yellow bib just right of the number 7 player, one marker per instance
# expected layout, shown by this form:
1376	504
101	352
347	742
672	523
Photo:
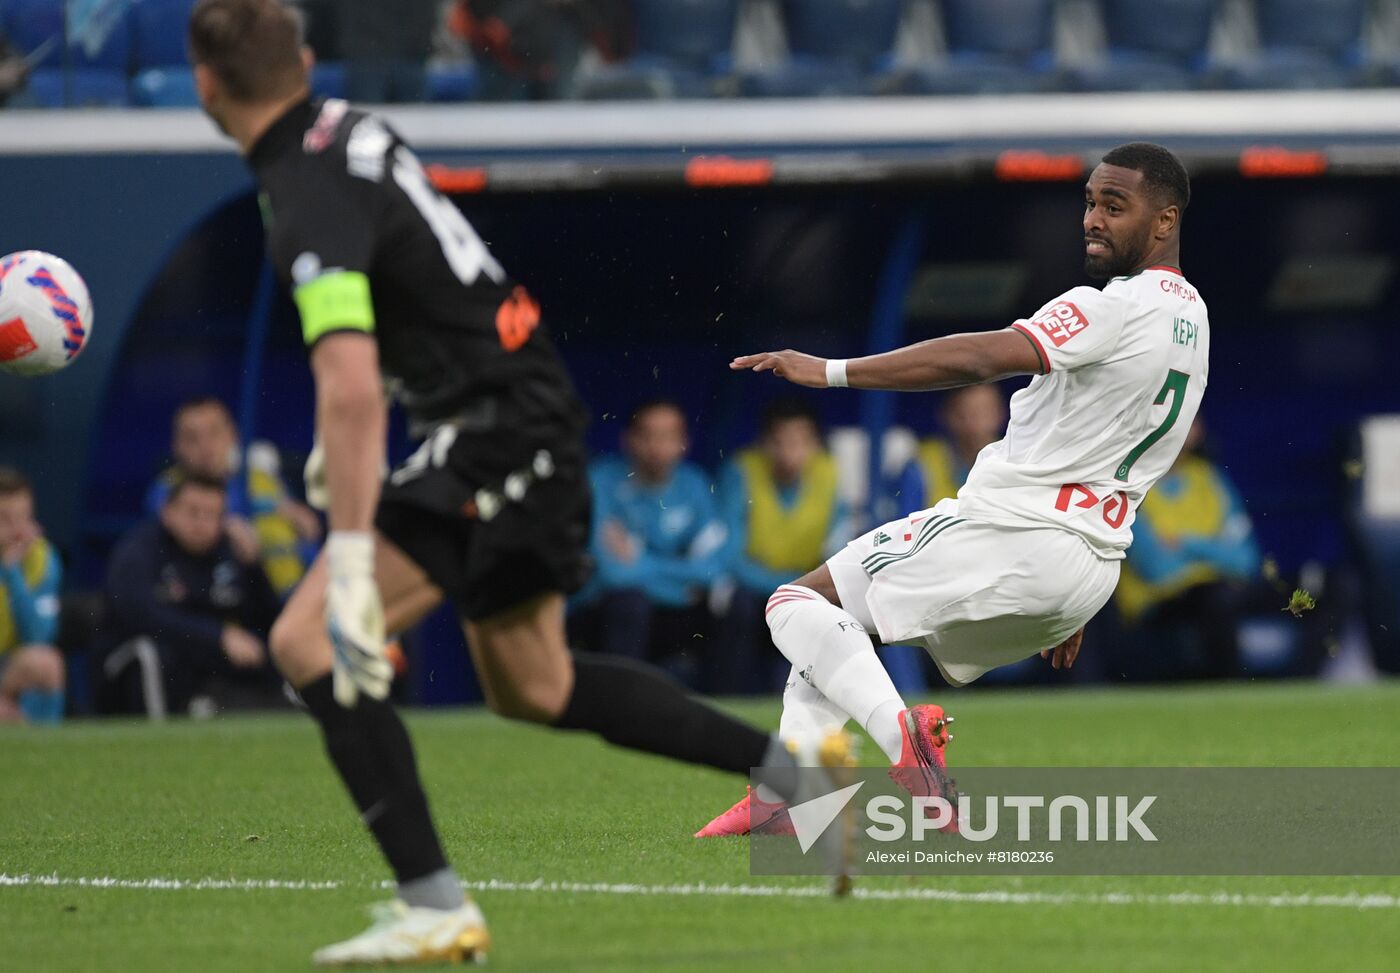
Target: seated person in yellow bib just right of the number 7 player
1193	554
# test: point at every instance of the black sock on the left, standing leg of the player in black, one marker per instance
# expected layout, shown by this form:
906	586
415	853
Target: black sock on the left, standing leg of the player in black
372	751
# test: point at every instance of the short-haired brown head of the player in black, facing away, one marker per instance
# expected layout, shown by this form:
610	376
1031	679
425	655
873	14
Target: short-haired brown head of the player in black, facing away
253	47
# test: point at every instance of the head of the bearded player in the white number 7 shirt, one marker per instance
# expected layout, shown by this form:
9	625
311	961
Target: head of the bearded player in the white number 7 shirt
1118	223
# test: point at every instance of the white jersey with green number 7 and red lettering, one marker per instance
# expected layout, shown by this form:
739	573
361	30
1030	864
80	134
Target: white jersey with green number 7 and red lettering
1126	370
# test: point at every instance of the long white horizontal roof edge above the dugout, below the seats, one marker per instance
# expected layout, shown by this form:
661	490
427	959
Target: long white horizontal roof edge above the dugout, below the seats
1368	114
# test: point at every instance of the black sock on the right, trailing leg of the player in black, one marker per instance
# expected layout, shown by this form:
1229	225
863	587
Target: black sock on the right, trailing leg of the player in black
635	706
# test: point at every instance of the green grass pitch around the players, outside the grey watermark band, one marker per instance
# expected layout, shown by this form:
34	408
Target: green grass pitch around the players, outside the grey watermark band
247	800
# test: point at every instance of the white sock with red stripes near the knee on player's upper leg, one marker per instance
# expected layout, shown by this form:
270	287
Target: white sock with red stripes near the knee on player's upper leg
831	652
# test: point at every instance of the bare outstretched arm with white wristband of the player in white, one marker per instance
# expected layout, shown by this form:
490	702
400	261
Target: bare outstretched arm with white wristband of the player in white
936	365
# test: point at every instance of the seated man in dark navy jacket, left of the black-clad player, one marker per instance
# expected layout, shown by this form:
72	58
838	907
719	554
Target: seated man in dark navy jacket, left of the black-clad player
185	607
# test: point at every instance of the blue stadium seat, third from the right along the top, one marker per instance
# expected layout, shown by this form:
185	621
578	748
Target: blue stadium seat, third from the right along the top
995	47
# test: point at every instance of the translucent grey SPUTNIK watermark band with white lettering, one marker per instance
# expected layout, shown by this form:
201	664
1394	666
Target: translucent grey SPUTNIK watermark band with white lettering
1094	821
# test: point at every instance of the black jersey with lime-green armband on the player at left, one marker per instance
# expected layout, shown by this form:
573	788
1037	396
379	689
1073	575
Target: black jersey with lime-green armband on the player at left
366	243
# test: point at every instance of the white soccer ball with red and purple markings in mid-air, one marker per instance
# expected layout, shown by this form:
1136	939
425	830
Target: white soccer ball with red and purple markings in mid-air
45	313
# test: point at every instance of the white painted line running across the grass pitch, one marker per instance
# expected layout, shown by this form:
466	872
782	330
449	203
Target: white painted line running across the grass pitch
992	897
